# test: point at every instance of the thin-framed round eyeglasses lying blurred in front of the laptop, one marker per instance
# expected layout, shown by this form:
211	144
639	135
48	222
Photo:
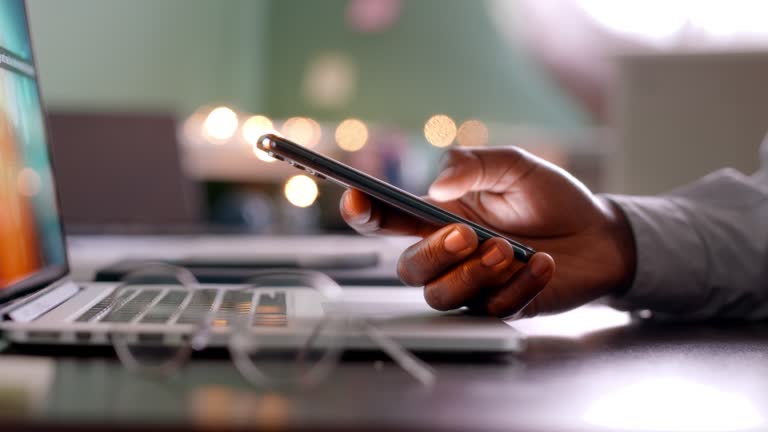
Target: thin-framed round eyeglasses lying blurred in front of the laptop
282	328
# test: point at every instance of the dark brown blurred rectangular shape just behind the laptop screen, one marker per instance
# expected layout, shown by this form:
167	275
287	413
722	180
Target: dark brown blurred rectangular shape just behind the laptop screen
121	172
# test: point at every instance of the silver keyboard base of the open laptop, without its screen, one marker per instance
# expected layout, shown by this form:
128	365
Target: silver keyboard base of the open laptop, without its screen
91	314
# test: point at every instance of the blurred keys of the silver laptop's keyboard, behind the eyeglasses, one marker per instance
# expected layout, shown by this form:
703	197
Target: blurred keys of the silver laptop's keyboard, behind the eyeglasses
157	306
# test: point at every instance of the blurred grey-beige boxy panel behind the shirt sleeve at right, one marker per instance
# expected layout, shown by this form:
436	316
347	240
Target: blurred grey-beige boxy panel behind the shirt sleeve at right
678	117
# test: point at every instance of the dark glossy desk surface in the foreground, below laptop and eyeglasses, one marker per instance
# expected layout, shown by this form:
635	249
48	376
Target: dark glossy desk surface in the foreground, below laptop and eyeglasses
636	376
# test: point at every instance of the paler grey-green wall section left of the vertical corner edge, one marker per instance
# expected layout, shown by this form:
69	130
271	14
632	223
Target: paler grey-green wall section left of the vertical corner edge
149	54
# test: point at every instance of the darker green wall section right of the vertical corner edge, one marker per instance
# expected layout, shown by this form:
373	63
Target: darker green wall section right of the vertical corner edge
441	56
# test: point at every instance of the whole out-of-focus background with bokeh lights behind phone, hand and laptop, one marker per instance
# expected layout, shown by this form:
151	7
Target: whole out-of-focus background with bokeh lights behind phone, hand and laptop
154	105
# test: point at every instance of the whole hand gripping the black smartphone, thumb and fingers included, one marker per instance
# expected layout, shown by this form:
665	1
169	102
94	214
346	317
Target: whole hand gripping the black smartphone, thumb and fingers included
526	198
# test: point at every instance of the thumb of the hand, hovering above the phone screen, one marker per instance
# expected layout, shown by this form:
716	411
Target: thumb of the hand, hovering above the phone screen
491	170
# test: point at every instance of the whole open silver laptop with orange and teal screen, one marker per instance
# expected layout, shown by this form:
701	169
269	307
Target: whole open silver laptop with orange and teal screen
41	304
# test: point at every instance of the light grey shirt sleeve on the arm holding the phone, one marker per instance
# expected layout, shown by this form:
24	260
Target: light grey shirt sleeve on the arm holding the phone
702	250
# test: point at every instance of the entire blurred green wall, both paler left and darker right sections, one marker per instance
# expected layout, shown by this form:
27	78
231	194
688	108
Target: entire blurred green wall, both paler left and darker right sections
441	56
